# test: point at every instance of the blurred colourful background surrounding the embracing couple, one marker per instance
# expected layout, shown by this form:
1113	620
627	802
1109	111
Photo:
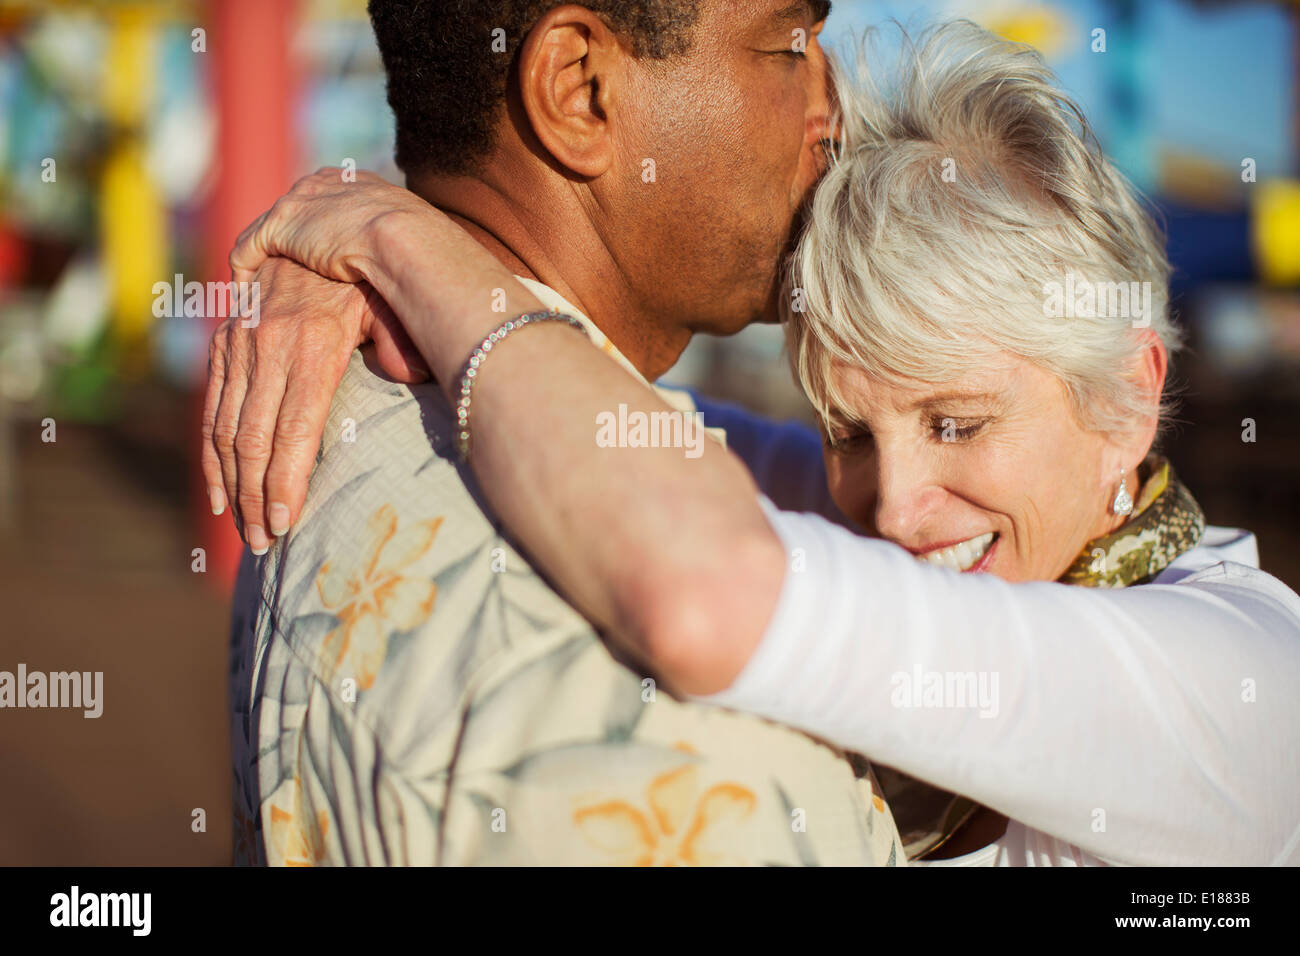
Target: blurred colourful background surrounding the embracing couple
137	139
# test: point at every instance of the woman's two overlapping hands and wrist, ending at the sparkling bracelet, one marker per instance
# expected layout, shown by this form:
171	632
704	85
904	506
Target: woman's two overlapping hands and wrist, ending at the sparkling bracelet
271	386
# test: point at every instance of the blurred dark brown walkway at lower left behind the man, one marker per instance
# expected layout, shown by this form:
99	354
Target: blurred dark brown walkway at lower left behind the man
96	577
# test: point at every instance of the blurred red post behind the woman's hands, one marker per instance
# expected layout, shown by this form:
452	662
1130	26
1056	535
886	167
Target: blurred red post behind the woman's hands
254	85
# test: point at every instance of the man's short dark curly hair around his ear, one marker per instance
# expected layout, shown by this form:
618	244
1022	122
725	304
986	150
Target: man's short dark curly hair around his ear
447	83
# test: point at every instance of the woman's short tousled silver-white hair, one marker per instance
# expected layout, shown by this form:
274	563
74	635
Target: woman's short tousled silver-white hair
957	204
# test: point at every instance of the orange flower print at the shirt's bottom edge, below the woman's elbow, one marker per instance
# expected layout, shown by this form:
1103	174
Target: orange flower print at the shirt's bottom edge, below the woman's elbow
678	830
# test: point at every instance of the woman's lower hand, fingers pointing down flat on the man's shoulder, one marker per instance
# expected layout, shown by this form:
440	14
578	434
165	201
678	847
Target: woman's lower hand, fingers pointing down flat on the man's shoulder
271	384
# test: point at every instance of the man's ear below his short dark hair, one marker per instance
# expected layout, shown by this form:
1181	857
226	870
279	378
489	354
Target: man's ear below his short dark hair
570	70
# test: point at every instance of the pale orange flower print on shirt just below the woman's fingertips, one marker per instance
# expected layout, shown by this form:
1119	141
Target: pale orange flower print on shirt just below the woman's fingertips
372	598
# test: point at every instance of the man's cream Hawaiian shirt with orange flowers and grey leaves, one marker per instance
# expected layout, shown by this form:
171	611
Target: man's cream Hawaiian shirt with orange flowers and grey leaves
408	690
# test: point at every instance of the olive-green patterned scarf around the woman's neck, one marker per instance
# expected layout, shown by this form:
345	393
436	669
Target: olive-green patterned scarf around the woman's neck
1167	522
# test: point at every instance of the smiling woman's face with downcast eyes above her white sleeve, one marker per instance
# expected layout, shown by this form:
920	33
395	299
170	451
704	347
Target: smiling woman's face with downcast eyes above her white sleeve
991	475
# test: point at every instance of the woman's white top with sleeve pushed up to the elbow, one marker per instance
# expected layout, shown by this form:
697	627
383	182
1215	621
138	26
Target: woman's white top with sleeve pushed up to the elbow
1158	725
